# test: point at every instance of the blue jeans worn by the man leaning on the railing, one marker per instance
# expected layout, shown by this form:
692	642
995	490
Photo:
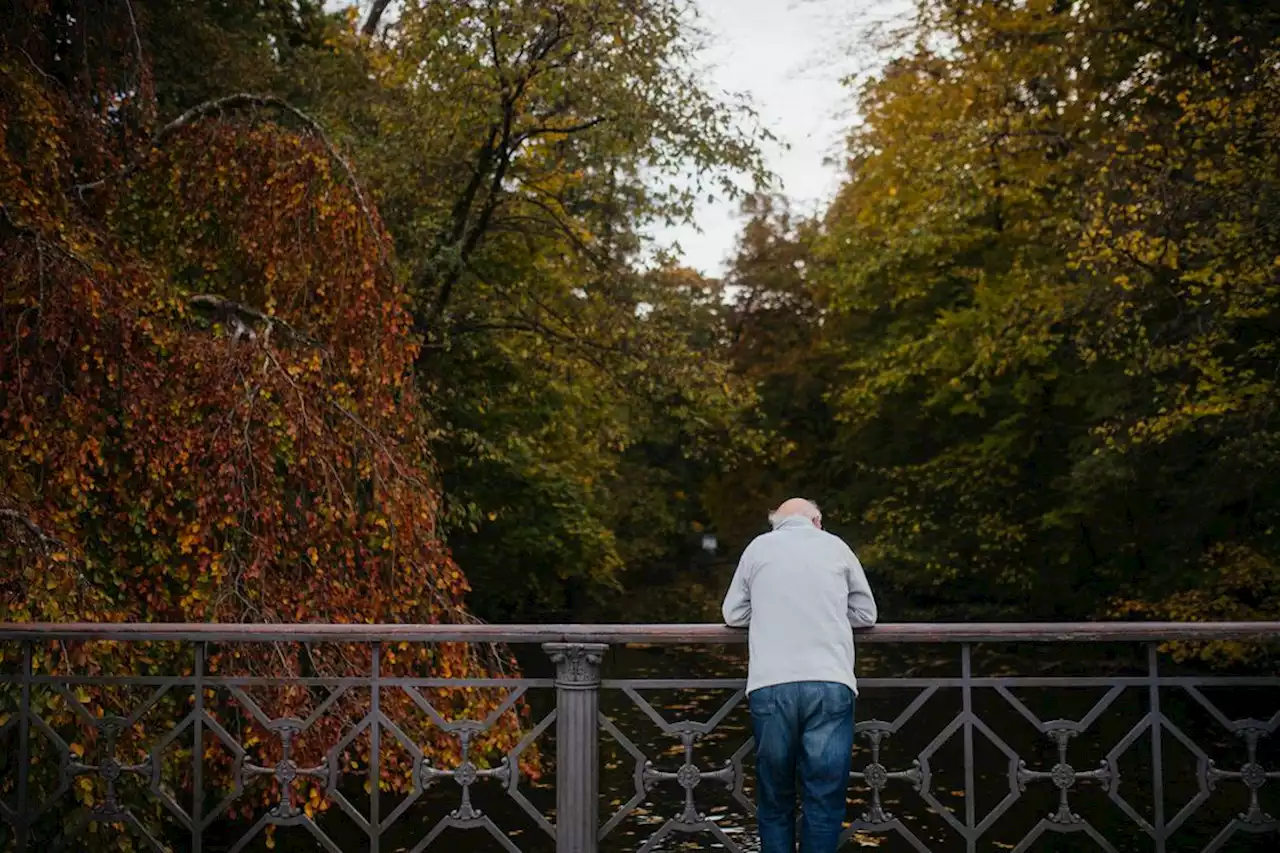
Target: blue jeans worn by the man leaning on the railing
803	731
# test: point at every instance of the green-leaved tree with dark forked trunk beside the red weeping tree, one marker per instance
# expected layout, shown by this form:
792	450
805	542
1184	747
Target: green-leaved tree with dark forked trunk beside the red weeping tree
518	150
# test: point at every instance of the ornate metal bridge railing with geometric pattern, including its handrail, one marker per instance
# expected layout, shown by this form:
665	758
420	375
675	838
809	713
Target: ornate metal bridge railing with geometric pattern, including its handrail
953	752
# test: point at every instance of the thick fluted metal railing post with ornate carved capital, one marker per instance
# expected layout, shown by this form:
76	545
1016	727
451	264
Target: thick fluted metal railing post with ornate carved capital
578	767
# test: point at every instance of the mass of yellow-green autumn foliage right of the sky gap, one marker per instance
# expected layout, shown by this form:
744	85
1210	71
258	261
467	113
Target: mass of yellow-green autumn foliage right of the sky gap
1036	372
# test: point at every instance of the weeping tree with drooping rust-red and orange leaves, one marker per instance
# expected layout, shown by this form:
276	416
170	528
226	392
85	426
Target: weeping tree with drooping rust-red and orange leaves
207	398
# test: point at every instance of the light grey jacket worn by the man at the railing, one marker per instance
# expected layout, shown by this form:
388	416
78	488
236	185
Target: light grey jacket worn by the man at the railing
799	591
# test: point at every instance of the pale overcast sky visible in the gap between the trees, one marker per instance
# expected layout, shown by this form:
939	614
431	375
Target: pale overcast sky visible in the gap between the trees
790	58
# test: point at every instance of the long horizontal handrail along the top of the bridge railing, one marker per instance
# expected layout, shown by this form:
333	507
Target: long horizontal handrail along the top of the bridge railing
656	635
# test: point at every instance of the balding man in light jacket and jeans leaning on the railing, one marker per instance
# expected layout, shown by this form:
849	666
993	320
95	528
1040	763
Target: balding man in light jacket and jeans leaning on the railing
801	591
